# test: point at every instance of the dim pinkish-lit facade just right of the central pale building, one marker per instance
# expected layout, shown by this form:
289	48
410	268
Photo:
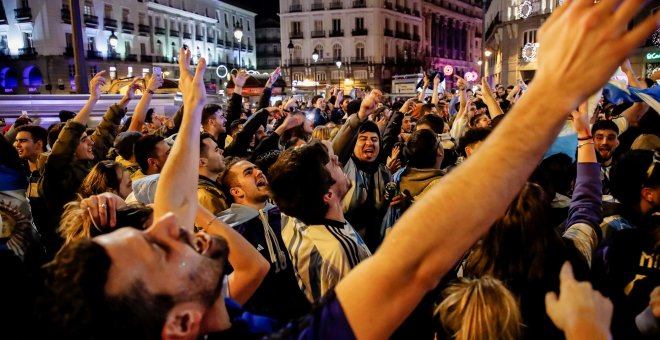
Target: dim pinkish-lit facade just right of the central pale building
453	31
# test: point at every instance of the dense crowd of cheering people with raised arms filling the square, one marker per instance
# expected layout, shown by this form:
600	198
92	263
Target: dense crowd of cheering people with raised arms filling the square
347	217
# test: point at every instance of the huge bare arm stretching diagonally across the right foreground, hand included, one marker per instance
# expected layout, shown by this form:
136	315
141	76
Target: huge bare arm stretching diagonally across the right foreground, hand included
425	245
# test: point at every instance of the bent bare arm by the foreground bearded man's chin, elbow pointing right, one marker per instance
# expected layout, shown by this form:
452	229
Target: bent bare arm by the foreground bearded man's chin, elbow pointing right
250	268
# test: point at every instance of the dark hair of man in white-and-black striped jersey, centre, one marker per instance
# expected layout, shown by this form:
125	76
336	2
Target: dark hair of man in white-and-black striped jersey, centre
299	180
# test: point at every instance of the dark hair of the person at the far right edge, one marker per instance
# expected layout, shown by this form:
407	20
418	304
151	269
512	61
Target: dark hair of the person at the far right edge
630	174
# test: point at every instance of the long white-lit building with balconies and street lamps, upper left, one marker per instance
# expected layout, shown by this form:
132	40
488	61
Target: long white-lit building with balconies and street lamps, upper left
36	47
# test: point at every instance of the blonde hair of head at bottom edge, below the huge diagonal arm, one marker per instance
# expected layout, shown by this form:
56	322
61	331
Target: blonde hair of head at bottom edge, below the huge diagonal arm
480	309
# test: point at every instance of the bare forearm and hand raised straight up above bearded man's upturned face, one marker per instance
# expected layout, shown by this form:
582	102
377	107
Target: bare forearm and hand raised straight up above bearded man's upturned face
177	187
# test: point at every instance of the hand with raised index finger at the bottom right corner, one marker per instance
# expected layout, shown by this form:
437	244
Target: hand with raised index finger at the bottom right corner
578	305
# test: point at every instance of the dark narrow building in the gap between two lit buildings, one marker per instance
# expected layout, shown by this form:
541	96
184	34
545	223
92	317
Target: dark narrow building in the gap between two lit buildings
269	48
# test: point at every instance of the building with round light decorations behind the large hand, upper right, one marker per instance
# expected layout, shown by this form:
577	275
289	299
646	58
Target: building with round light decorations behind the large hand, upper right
511	40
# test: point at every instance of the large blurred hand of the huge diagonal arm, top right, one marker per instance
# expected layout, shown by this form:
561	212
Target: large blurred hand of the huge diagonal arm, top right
579	35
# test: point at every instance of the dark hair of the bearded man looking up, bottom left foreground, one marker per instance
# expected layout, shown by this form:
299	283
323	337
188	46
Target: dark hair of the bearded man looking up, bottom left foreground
75	305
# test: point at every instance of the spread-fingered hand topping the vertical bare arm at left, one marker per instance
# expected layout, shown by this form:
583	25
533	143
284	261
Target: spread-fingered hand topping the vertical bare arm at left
192	85
